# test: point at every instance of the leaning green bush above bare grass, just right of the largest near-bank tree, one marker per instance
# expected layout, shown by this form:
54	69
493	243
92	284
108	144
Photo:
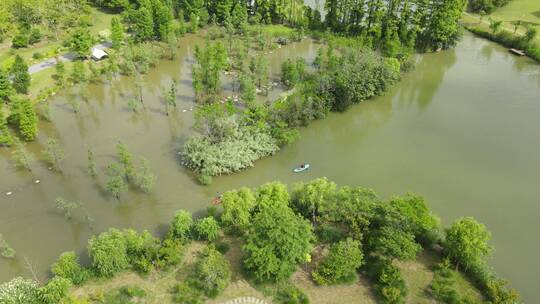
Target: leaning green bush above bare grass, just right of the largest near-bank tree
341	263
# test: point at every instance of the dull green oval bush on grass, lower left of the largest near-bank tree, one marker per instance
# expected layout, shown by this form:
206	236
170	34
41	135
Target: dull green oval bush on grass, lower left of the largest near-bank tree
212	272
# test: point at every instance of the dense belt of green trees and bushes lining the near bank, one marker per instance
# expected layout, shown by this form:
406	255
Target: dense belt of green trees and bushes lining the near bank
341	232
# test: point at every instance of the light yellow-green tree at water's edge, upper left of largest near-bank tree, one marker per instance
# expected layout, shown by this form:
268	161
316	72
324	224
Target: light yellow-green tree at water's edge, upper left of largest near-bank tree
237	207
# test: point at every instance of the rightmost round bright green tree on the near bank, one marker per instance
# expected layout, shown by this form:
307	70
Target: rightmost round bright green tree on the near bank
467	242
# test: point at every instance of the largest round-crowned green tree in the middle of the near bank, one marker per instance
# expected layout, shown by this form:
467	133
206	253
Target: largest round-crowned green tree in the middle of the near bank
277	241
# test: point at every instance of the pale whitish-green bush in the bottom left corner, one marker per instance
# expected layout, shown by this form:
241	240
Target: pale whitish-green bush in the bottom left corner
19	291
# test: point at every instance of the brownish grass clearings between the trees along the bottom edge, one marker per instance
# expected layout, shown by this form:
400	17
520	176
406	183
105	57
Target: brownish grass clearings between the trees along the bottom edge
157	285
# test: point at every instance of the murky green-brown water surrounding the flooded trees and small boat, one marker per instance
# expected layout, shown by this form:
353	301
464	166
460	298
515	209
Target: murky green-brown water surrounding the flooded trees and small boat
462	130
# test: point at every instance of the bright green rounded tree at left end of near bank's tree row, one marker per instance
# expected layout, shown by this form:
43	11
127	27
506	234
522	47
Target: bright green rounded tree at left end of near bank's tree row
108	253
